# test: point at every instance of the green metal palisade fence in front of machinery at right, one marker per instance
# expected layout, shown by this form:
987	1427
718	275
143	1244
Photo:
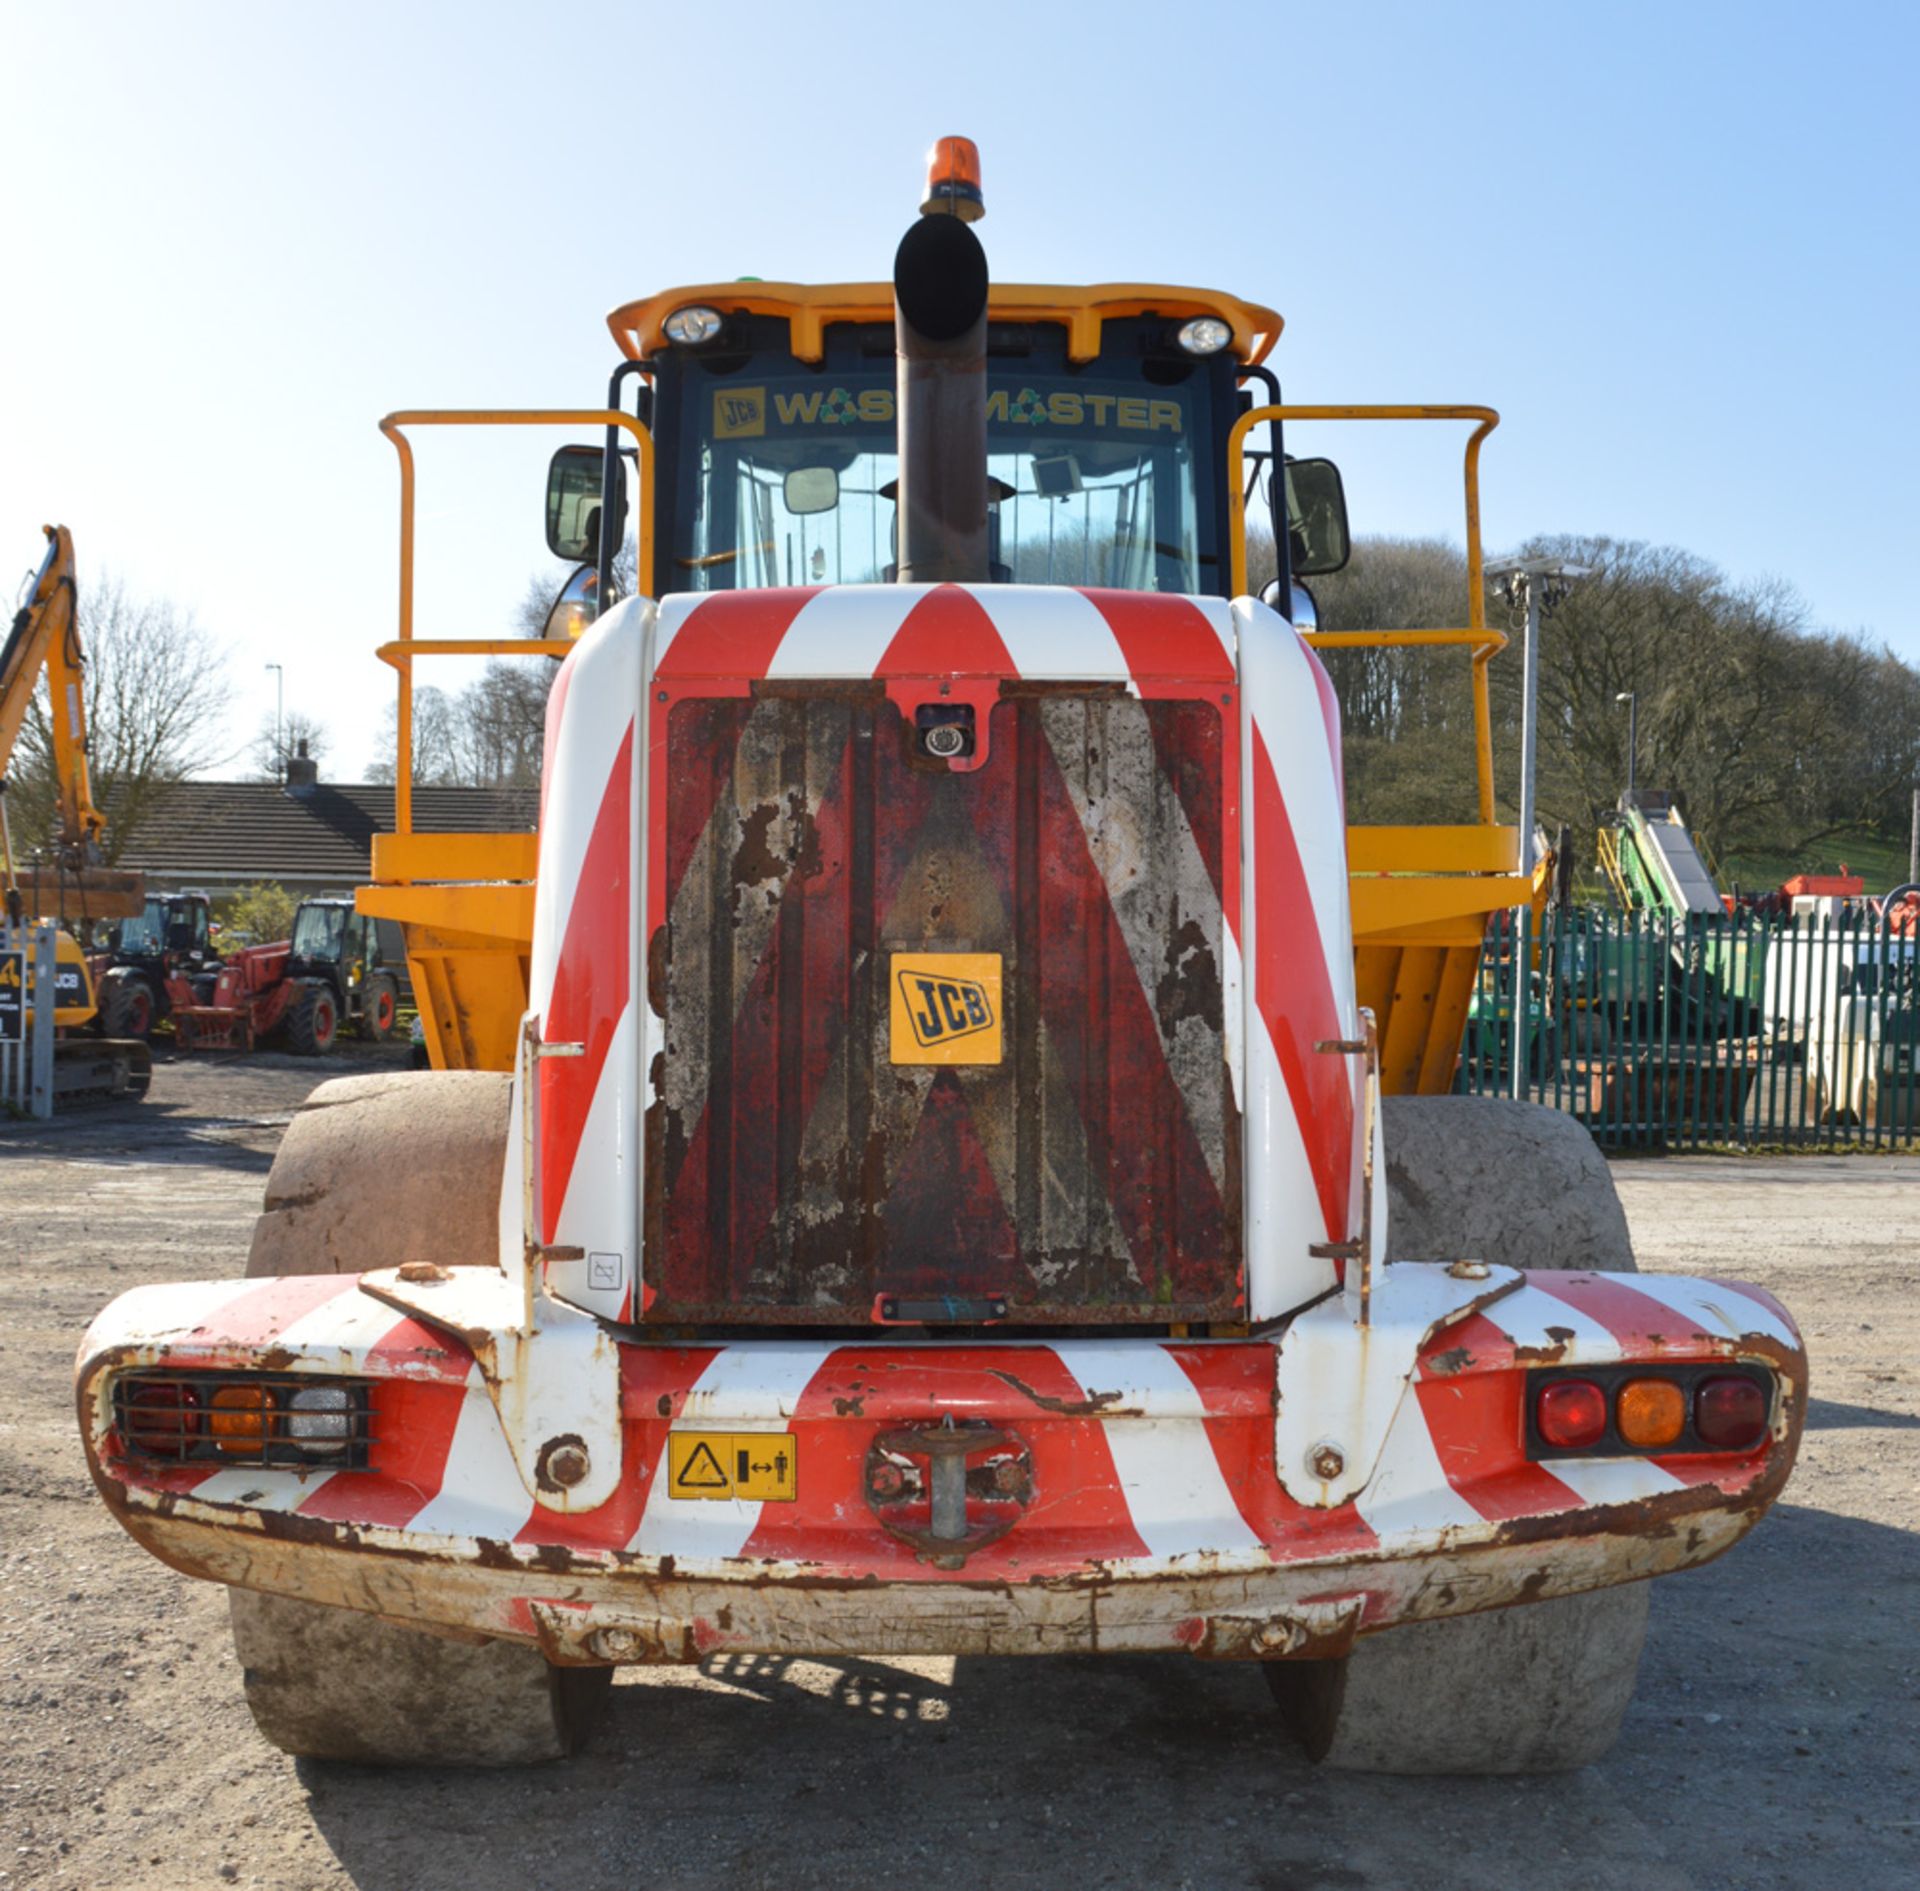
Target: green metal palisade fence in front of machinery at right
1666	1032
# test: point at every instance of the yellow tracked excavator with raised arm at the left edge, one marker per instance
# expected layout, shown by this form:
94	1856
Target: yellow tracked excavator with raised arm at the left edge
68	884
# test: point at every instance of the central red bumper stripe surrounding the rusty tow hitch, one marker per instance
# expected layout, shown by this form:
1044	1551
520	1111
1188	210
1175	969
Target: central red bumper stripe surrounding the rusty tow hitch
1080	1512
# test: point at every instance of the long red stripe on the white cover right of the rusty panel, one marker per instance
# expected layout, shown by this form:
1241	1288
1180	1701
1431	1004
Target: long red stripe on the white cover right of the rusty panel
1293	993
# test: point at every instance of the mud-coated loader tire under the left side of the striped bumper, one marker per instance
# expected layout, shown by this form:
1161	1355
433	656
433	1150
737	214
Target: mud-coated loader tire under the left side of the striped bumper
377	1172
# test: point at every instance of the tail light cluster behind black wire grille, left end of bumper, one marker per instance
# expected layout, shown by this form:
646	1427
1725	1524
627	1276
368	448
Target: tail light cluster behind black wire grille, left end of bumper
272	1420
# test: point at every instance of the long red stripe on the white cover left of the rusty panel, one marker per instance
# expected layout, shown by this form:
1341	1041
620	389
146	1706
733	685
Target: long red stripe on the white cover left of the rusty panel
590	988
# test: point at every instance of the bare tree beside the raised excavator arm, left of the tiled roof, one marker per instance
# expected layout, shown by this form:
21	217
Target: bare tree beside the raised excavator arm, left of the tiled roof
156	700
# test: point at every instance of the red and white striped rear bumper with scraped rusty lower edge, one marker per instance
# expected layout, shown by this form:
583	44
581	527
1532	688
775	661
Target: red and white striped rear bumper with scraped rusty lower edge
1115	1495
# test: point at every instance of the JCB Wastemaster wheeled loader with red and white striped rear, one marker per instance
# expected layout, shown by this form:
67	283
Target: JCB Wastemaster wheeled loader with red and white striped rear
944	1149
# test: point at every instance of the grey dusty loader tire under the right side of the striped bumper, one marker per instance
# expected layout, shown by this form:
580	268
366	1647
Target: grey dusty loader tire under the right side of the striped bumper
1541	1688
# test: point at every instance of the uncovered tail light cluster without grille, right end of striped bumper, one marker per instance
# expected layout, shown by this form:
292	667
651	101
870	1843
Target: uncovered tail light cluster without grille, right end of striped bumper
1629	1410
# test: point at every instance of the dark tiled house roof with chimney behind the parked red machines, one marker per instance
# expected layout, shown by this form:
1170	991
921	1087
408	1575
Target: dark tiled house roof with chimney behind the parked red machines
308	836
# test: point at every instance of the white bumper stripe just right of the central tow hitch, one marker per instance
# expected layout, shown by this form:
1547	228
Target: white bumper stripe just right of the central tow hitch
1168	1472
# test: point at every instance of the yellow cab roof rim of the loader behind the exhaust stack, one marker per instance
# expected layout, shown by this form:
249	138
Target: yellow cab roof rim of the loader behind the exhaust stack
809	306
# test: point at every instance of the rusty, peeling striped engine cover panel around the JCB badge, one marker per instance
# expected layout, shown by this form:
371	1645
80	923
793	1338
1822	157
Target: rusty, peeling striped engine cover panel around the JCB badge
796	1172
